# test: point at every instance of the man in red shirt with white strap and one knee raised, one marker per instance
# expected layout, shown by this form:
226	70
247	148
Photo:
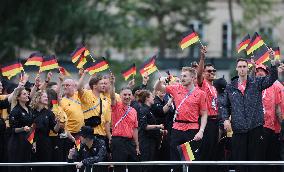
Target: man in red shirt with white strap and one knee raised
190	104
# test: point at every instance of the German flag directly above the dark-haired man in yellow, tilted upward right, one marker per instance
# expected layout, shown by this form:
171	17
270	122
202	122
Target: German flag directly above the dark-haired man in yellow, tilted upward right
98	66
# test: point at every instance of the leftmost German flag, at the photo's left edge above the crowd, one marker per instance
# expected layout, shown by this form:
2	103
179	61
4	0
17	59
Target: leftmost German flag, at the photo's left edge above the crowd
12	69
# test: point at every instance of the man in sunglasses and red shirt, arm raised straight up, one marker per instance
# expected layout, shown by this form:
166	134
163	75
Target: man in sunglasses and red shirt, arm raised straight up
205	77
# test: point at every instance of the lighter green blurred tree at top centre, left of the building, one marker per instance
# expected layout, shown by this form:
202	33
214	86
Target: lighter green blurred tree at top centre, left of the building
158	23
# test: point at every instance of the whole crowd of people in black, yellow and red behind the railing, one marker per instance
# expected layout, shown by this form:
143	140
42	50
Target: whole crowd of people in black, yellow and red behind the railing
75	121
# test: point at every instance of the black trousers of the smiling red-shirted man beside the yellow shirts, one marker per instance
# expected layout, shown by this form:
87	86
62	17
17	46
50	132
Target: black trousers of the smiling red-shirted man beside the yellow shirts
123	150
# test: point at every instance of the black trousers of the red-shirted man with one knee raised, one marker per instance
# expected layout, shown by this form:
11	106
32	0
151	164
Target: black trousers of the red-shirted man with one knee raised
179	137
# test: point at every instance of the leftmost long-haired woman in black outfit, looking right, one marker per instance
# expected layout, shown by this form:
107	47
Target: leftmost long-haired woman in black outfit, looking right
20	119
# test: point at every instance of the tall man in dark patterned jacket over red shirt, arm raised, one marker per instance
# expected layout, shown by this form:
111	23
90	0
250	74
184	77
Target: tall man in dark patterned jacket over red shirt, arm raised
243	100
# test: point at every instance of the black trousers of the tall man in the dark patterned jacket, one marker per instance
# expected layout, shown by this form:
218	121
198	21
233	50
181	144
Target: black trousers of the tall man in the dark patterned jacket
248	147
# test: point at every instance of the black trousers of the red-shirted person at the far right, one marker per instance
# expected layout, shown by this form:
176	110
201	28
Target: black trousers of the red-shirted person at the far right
271	148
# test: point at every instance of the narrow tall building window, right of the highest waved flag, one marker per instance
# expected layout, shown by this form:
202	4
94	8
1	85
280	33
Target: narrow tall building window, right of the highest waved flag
226	39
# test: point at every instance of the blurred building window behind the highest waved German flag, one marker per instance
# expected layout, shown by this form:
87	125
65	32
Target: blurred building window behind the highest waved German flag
194	49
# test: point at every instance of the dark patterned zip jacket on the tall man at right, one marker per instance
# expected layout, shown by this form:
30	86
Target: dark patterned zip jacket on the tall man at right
246	110
